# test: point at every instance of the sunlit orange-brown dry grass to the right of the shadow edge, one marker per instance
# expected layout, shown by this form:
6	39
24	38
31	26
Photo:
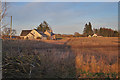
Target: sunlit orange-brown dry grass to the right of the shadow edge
96	55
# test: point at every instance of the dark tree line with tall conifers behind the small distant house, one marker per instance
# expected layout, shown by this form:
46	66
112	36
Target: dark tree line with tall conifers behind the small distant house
105	32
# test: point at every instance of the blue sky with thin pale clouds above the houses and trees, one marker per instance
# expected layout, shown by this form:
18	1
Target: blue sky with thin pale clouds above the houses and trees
63	17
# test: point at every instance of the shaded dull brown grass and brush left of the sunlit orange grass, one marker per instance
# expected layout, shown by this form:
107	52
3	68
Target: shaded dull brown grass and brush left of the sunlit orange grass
37	60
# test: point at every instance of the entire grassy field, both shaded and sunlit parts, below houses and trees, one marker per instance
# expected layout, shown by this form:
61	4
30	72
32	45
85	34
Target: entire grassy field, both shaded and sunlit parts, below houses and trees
69	58
